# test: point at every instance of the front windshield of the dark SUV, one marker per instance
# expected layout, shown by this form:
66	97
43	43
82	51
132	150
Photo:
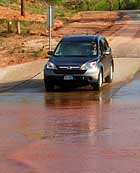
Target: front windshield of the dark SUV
76	48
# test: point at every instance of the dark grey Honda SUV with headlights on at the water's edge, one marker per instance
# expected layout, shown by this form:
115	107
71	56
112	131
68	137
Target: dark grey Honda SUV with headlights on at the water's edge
79	60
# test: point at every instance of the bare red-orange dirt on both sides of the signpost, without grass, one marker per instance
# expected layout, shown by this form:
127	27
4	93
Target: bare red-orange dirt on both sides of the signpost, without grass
16	49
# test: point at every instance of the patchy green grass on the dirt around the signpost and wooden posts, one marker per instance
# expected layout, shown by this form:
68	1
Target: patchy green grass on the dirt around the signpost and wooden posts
41	8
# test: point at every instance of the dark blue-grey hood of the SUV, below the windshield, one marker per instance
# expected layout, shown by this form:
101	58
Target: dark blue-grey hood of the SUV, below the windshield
71	60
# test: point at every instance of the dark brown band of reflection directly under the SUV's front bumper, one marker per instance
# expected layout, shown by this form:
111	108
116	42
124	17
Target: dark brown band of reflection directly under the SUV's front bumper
80	95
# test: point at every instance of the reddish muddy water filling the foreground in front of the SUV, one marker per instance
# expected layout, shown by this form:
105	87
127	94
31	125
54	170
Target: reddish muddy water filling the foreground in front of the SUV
70	136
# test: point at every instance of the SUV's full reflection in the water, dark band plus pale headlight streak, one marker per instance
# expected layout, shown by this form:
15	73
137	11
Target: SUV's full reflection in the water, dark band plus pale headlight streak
75	113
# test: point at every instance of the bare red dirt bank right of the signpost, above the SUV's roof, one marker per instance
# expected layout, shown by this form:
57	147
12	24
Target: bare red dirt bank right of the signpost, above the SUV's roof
88	23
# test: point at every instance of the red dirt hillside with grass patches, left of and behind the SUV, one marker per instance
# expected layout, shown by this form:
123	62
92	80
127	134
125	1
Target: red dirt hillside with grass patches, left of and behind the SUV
32	43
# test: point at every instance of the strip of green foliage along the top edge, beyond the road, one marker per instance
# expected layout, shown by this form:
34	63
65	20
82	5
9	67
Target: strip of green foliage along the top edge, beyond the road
39	6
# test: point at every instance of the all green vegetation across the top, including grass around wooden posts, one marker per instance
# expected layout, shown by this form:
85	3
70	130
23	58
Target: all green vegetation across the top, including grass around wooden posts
64	9
